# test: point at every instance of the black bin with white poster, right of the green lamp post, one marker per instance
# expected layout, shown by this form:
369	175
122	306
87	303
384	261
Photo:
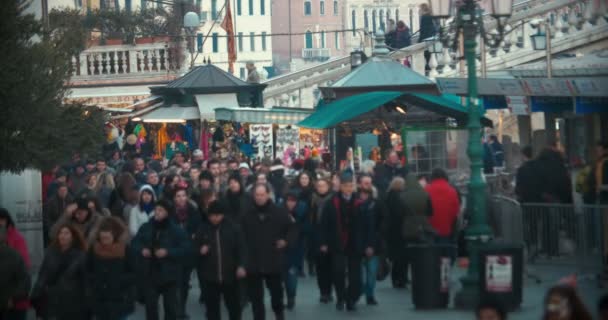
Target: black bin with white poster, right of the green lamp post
501	272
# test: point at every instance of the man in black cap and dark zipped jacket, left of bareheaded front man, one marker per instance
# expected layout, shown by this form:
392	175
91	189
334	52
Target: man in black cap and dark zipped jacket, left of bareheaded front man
221	245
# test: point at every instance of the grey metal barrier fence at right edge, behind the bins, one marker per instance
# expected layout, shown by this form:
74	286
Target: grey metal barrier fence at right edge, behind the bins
554	234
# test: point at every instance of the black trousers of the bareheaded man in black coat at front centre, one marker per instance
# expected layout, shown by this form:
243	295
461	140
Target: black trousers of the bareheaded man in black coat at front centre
255	288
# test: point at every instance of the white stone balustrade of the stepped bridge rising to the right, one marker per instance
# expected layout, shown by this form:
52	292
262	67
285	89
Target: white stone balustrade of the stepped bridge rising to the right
578	21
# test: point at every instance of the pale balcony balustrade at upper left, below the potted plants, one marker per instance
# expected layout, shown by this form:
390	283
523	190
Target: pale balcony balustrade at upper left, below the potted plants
123	61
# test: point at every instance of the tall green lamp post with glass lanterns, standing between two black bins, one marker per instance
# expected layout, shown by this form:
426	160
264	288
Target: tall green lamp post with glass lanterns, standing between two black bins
468	20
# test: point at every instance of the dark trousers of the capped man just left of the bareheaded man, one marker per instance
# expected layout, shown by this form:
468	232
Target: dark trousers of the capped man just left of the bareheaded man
230	292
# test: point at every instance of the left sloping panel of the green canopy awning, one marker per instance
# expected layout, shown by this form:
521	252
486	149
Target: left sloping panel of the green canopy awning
348	108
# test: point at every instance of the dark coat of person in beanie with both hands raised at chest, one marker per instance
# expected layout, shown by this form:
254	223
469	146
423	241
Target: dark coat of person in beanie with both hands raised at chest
162	235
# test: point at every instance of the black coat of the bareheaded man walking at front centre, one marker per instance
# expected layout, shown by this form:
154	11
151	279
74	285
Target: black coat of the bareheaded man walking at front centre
263	227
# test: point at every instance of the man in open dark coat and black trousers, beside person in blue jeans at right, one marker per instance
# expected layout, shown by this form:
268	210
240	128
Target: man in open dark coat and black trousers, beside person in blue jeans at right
347	233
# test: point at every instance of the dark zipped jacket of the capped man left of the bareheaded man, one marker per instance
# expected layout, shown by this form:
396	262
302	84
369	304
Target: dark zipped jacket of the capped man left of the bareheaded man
226	251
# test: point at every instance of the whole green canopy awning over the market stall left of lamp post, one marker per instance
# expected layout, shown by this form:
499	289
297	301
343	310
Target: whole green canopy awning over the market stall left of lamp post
363	111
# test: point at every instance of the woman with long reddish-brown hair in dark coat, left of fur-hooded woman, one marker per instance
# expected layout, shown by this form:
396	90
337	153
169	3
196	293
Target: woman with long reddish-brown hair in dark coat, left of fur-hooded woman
59	292
